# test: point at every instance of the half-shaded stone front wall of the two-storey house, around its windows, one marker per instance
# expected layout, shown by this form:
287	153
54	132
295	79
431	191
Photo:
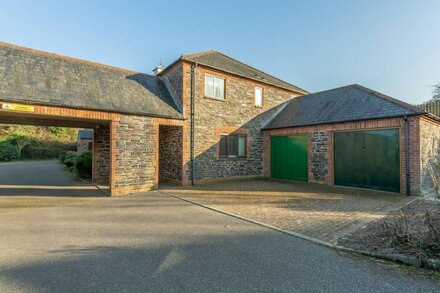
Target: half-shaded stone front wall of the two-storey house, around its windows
236	113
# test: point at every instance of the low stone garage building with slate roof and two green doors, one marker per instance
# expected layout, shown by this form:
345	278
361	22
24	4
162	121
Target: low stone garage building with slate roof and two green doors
354	136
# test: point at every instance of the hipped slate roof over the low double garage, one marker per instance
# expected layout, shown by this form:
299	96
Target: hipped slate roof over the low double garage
348	103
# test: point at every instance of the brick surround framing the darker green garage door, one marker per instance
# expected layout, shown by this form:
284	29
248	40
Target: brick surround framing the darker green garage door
401	148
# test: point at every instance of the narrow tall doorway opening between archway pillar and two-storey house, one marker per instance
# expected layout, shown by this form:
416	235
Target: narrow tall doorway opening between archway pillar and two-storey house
170	154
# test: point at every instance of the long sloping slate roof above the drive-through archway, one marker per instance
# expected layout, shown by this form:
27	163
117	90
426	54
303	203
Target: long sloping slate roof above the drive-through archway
30	76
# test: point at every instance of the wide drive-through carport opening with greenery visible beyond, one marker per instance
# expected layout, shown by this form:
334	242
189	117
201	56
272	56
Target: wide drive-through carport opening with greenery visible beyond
53	157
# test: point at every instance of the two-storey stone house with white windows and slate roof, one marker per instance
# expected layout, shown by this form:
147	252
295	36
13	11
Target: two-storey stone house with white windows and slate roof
226	113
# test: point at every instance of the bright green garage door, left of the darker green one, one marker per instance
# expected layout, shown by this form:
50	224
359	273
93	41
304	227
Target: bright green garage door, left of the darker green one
289	157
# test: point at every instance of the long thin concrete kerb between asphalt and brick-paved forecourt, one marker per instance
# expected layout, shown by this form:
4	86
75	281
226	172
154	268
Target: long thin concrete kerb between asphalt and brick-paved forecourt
427	263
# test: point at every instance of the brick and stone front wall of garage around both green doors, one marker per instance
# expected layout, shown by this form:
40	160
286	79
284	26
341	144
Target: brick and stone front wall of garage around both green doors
320	143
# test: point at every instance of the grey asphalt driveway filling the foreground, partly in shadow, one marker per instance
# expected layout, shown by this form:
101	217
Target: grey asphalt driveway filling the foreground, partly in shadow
154	243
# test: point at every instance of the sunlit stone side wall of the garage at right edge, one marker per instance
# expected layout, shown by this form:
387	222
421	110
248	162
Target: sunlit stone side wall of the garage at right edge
429	154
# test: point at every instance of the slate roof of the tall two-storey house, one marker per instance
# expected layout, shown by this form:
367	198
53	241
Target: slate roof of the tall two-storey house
225	63
